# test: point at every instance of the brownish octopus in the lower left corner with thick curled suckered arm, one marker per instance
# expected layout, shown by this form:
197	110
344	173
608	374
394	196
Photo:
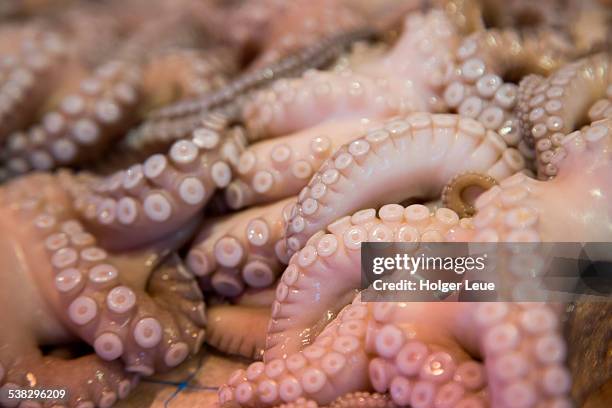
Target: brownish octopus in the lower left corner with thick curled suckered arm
61	287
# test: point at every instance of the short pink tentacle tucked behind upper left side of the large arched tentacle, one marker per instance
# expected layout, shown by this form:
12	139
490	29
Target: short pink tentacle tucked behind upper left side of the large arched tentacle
277	168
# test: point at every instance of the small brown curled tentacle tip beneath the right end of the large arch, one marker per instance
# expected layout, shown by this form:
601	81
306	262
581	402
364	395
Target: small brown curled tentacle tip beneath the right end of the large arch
452	195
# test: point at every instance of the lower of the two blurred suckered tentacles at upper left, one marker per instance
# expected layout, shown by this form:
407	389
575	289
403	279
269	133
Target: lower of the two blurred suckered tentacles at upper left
84	120
